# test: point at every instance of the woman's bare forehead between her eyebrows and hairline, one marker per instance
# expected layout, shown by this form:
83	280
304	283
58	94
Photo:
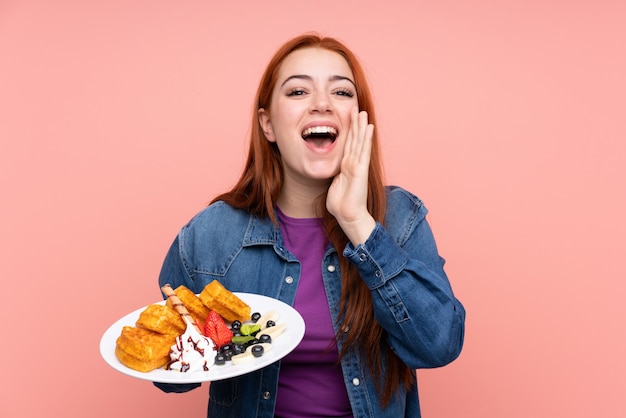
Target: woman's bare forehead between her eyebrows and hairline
314	62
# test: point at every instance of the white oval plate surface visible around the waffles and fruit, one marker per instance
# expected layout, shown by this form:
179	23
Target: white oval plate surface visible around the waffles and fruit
281	346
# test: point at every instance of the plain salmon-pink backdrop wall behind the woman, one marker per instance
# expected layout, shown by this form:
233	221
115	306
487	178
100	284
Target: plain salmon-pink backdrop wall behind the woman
119	120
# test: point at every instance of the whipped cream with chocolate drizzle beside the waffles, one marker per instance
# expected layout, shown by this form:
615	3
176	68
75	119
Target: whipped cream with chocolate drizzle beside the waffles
192	352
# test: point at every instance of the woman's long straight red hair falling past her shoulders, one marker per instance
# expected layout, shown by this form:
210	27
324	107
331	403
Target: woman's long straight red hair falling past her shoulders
257	192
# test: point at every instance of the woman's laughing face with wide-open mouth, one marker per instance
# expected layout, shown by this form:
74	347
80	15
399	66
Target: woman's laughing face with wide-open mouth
309	115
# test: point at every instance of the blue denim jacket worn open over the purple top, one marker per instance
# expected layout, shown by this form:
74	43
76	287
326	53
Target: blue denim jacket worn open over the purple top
412	297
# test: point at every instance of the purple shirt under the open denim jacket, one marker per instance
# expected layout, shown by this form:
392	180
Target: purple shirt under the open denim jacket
311	382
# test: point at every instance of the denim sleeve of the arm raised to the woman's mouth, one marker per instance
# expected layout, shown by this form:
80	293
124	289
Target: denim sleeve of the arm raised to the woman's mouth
413	299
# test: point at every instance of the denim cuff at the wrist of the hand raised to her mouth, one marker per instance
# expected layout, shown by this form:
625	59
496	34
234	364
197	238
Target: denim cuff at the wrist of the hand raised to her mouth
378	259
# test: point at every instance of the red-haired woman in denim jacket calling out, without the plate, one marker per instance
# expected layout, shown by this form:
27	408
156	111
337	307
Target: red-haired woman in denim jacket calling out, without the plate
311	223
